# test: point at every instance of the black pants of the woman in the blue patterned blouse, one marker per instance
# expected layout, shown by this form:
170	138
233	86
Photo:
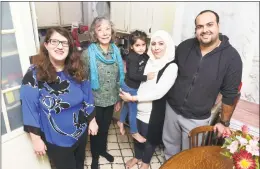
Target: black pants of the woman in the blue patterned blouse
68	157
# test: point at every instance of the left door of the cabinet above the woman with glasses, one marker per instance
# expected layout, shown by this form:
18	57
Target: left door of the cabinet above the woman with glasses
47	14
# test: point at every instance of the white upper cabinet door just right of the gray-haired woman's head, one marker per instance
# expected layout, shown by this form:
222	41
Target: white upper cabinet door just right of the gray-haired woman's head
119	12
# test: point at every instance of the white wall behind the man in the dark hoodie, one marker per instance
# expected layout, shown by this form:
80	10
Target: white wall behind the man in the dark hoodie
240	22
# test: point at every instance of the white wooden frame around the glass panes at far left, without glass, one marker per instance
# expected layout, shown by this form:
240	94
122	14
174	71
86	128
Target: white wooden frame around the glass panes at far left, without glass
23	27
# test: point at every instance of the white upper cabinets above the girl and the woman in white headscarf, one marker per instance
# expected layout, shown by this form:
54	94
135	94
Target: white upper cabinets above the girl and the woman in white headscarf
146	16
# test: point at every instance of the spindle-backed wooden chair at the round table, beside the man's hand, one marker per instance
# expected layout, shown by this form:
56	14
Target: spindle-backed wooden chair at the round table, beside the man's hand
208	136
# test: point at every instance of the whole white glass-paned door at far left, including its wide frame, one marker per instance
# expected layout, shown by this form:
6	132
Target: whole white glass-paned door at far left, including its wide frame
17	45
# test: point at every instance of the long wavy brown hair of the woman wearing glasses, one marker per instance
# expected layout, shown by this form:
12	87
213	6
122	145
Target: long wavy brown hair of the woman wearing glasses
74	64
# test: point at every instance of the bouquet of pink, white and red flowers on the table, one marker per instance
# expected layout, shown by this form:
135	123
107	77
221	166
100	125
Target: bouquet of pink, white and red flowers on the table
243	148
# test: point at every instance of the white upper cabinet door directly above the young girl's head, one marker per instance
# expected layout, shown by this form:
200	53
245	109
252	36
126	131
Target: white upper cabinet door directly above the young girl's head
140	16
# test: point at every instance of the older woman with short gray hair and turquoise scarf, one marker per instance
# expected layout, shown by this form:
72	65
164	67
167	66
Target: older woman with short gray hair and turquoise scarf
106	74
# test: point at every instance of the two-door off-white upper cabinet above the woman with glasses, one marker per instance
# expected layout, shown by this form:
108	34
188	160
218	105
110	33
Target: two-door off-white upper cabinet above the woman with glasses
58	13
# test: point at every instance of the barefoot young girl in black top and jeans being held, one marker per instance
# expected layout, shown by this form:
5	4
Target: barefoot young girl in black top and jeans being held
135	64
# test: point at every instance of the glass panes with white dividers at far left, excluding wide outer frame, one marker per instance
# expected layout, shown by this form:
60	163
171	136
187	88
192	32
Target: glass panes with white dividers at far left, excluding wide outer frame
11	74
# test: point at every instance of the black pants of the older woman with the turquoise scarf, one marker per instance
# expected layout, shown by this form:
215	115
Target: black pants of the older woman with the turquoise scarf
98	143
